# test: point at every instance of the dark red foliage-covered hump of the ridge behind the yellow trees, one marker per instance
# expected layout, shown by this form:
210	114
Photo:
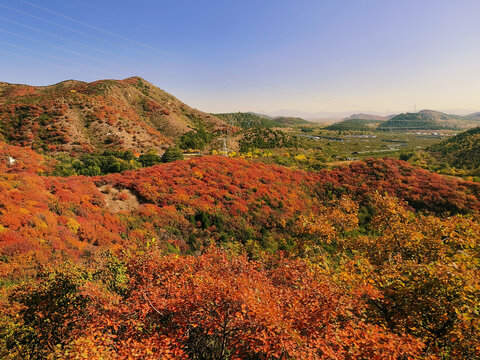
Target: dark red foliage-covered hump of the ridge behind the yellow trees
421	189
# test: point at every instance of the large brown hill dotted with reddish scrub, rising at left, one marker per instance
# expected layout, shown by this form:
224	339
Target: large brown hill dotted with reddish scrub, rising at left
74	116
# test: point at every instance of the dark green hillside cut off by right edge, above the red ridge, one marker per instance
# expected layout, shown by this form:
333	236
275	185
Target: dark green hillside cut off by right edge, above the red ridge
460	151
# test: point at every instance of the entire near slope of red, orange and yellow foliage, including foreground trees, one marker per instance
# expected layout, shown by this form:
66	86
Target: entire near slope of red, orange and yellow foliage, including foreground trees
125	265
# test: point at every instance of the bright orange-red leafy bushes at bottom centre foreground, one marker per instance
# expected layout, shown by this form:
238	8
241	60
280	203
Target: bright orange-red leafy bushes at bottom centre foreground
220	306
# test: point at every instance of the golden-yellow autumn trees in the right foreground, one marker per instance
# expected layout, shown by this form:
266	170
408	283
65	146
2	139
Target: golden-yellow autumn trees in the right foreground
427	271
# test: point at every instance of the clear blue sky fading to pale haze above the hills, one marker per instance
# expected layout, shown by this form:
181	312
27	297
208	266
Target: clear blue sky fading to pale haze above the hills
256	55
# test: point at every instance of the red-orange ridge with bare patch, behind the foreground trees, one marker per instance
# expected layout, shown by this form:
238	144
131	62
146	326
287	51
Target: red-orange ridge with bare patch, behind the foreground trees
178	203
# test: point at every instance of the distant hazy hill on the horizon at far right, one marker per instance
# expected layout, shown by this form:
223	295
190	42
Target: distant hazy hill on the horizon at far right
428	120
